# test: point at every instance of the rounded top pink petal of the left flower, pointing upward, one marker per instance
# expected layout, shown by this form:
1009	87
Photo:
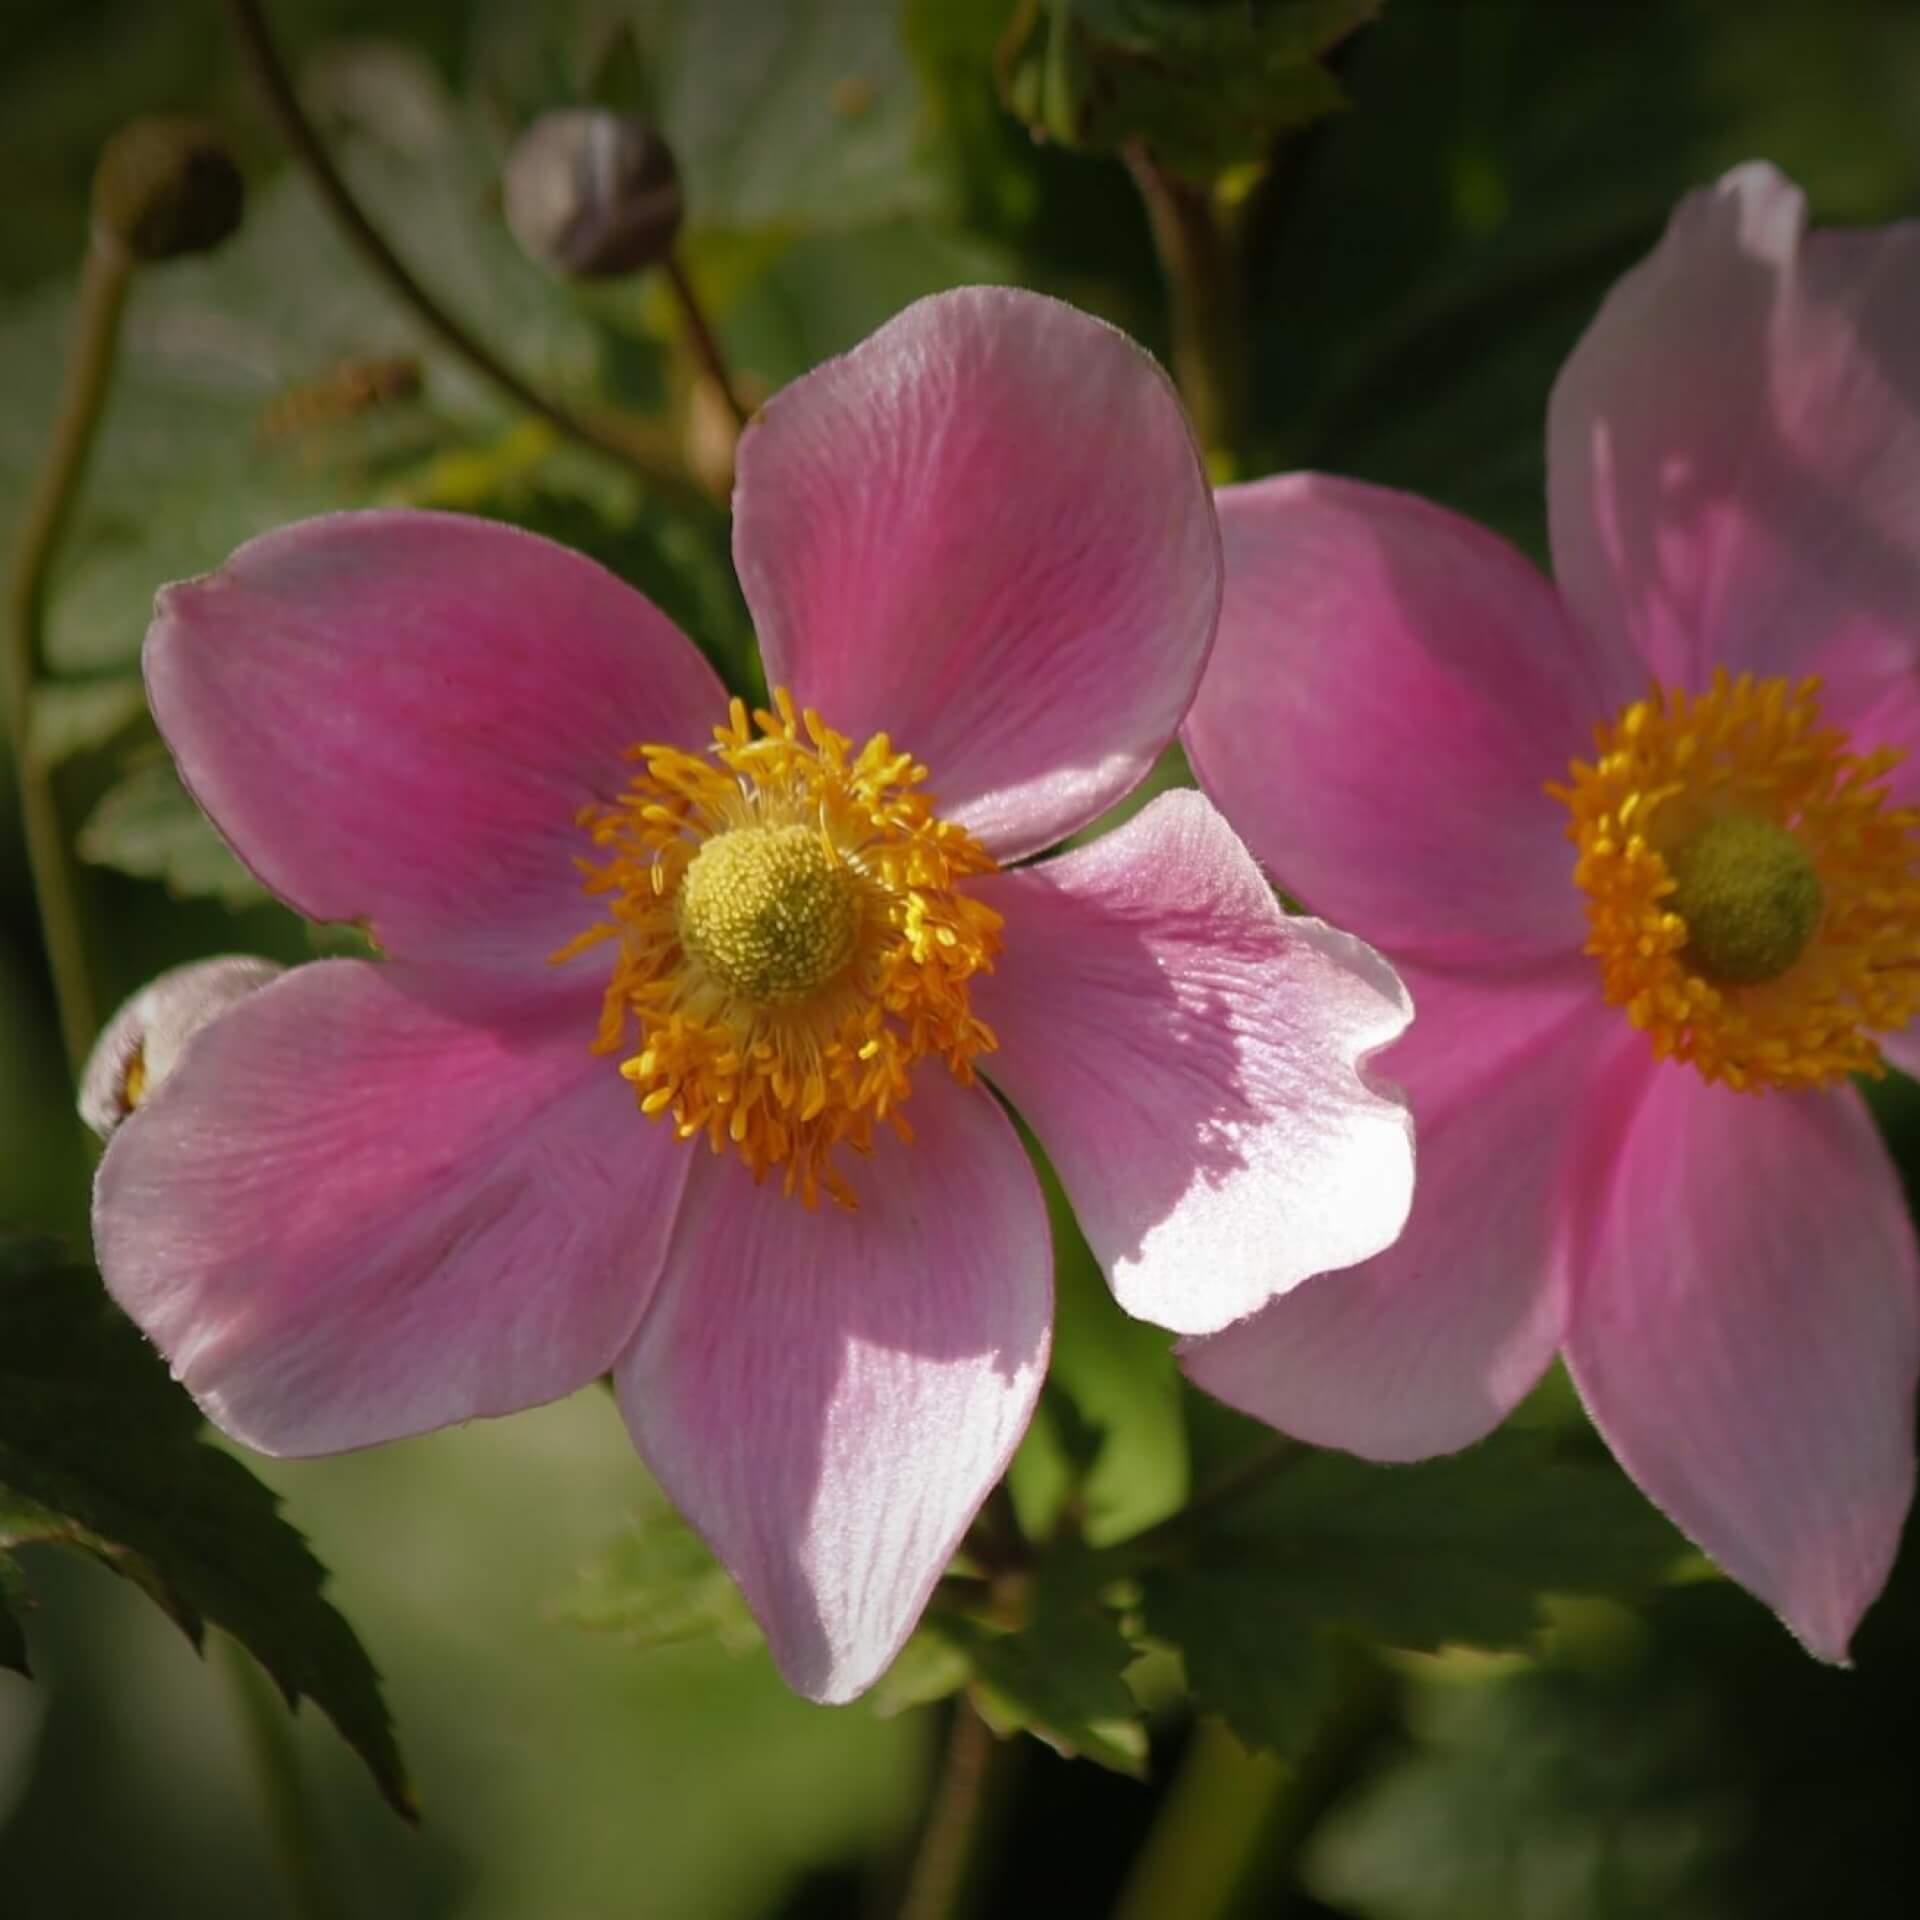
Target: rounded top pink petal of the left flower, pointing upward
986	533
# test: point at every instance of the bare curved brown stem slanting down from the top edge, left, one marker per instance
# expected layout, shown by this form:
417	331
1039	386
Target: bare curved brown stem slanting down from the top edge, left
310	151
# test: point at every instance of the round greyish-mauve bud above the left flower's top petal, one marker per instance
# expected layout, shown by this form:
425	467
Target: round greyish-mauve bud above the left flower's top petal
592	195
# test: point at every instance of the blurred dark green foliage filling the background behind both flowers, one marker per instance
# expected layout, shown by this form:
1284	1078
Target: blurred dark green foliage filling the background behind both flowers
590	1729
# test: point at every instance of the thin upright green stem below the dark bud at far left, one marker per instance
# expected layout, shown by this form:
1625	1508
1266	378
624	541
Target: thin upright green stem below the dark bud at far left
97	325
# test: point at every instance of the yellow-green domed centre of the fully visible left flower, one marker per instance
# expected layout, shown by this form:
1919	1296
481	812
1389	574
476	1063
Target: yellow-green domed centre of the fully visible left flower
773	913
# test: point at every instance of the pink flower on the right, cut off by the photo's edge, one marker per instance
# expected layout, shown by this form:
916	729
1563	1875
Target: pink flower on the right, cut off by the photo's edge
1393	715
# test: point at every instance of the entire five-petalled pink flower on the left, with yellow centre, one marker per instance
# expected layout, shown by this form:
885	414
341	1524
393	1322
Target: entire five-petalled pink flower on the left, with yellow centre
375	1199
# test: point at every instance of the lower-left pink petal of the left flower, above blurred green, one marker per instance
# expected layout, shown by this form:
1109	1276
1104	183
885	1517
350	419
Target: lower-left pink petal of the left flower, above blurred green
348	1216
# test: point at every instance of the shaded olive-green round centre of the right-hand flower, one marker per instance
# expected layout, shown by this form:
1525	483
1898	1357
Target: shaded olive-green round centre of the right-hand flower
1750	898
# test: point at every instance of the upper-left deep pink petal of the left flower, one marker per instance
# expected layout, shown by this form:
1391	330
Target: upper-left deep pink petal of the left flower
398	717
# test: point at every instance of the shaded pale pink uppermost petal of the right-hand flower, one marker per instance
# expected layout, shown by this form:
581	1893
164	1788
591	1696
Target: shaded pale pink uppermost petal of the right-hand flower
1735	450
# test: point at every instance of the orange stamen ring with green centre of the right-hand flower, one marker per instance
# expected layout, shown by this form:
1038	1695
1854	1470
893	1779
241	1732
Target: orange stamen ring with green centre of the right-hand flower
1754	901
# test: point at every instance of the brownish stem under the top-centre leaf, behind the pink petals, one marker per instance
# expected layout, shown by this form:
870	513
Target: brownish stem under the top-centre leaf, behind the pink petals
1209	300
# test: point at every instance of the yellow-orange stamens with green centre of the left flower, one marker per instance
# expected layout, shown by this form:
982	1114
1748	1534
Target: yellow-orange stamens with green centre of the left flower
792	940
